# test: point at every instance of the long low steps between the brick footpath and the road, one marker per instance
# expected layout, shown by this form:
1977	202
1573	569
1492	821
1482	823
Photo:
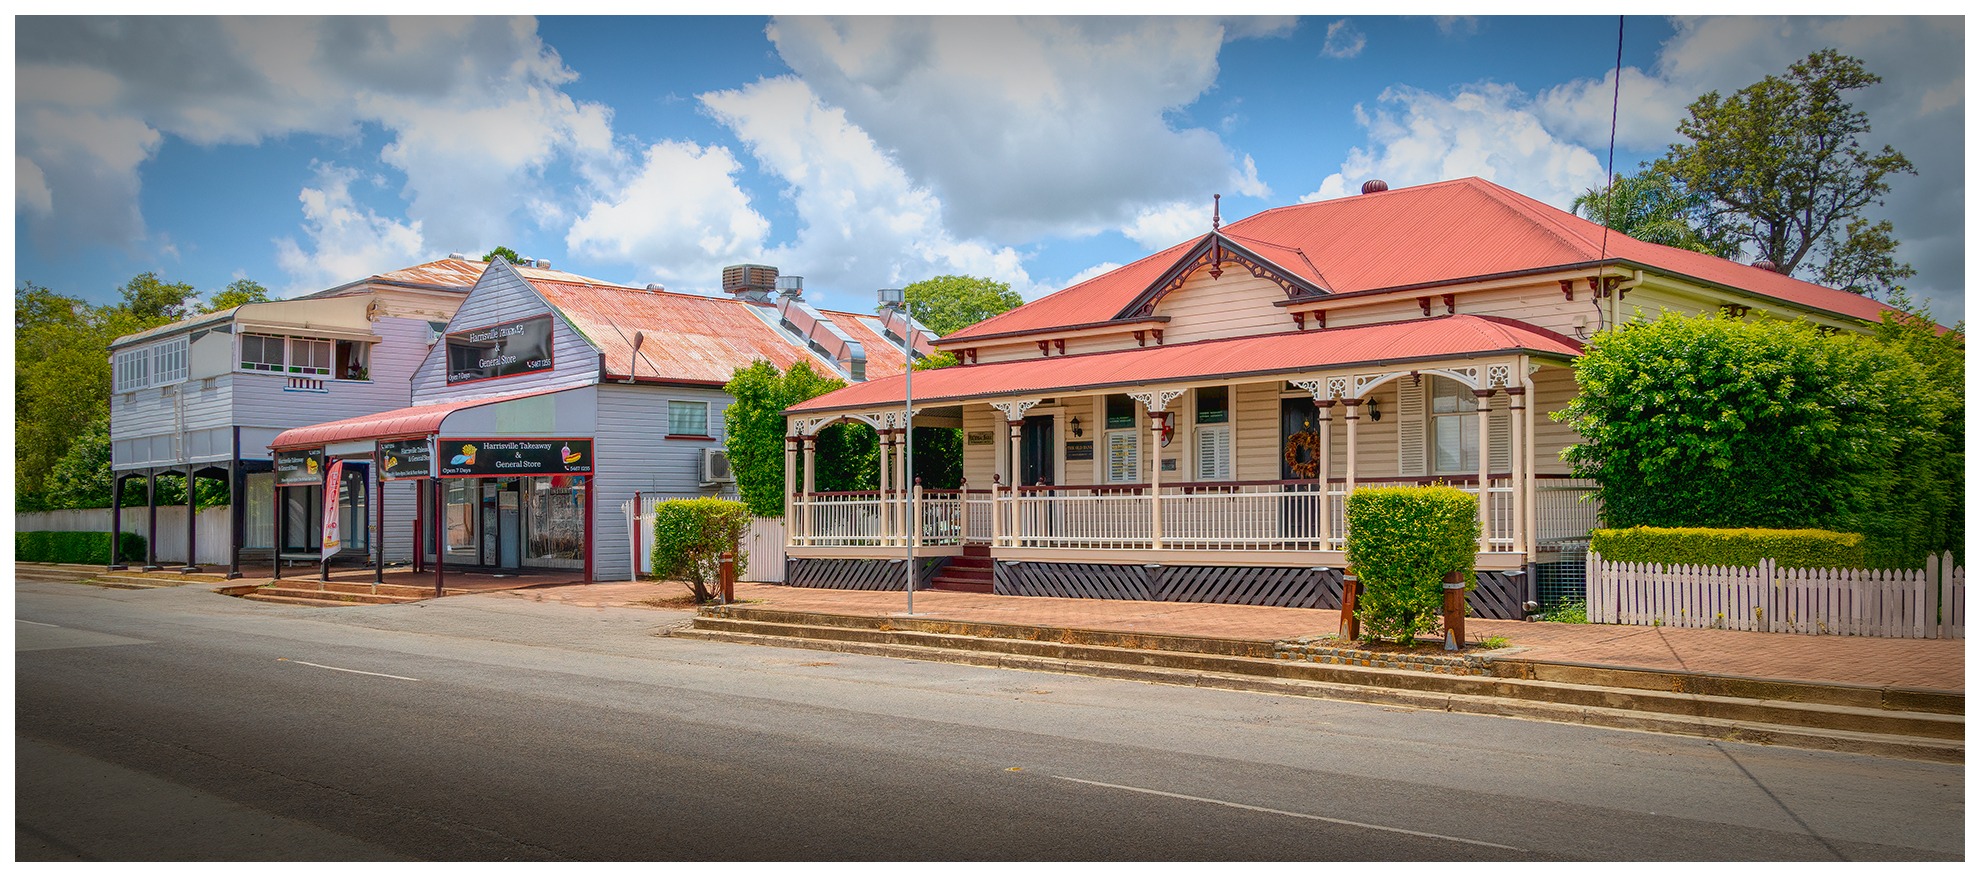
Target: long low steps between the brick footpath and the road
1771	704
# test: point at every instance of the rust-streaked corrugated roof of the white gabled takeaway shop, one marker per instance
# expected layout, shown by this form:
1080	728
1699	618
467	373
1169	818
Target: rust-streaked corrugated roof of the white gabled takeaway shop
692	340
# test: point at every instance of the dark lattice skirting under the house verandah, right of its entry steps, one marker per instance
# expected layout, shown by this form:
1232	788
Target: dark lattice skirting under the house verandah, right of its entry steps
1298	587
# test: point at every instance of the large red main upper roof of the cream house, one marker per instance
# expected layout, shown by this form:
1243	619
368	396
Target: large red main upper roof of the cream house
1417	237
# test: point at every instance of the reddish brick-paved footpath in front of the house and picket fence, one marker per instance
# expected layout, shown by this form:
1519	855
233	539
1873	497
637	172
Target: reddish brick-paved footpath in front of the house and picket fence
1920	664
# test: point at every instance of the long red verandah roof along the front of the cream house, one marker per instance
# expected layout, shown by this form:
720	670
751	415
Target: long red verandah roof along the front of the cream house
1440	338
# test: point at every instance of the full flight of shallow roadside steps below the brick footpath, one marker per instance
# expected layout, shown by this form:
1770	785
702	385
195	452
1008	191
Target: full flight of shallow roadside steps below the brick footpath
1906	724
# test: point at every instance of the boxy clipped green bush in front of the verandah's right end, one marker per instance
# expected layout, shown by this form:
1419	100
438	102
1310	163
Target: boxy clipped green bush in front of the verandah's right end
1401	543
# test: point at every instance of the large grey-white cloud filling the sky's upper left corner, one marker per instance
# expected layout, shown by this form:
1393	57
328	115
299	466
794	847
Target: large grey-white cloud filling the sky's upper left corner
472	108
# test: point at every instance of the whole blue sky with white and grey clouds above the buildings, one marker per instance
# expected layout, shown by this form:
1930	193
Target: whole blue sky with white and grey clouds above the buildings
858	153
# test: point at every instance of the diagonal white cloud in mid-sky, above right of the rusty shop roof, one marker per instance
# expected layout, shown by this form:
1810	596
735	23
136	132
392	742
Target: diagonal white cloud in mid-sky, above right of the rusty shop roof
862	221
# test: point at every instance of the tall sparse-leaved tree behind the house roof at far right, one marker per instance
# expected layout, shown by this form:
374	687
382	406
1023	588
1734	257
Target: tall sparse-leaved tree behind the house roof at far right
1783	171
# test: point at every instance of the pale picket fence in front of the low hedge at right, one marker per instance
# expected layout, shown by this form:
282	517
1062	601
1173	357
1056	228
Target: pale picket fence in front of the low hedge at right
1918	605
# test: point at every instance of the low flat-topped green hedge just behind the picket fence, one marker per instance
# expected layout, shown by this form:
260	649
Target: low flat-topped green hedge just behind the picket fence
1730	547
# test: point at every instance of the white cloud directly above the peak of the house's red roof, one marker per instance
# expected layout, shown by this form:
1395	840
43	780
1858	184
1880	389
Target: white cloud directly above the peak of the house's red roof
1486	130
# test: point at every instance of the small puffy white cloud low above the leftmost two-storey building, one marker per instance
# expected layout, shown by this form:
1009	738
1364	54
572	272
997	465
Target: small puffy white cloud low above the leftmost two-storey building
346	239
